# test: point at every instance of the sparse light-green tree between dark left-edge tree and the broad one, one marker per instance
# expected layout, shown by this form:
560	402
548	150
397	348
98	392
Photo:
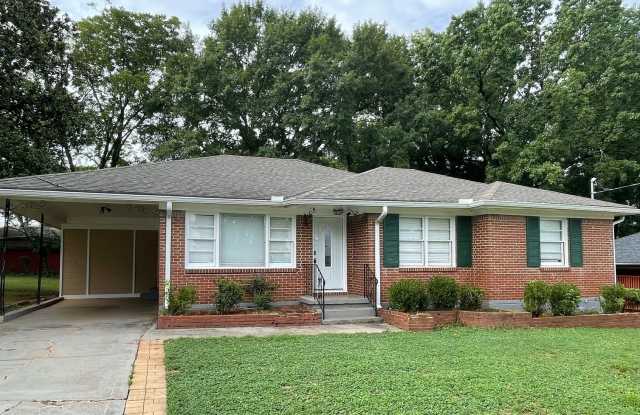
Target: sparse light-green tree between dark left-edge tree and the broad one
120	61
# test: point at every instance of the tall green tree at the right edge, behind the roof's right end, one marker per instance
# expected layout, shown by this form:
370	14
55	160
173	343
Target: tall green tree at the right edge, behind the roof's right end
586	117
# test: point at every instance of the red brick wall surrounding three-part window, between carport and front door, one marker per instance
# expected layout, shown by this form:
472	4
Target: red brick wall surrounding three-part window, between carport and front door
291	282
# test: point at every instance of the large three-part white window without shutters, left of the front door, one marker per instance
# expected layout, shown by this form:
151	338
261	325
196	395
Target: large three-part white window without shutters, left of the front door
239	240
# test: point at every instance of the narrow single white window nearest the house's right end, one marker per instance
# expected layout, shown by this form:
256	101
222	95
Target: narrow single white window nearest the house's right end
554	244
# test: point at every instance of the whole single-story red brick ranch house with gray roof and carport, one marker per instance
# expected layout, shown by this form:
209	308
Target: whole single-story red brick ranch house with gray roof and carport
131	230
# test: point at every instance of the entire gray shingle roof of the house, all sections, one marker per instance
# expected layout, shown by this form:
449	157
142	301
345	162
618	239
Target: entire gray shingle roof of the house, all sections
238	177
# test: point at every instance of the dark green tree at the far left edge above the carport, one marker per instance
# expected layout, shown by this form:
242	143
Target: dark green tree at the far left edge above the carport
39	129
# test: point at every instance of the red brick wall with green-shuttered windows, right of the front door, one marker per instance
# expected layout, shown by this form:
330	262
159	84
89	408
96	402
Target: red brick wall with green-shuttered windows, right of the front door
500	260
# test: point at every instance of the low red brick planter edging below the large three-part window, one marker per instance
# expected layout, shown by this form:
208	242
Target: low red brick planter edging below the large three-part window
239	320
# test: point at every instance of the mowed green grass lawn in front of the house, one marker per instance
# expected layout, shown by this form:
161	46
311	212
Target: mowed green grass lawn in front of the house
450	371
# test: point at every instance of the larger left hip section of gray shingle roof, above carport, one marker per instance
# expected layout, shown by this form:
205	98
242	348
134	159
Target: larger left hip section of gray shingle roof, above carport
225	176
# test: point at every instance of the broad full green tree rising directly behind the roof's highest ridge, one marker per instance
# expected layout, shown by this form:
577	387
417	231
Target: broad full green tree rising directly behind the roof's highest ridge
245	92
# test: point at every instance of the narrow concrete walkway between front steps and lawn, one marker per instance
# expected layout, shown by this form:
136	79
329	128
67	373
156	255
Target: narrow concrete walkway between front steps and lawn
165	334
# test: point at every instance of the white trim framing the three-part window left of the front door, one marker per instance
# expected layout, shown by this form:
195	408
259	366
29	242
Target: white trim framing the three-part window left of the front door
216	257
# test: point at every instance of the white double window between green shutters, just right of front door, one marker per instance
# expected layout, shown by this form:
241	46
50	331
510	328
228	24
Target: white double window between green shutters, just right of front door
426	241
